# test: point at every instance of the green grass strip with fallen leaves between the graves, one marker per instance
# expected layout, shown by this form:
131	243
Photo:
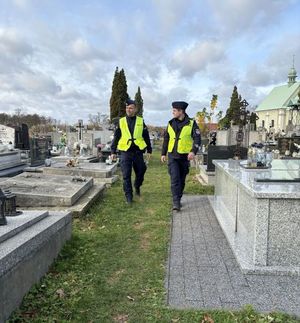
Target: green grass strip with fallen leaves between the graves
113	268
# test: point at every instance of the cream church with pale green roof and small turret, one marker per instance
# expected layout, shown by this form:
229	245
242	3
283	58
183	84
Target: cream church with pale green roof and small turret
274	110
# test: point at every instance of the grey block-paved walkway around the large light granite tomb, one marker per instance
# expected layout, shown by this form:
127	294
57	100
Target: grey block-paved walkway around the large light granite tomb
204	274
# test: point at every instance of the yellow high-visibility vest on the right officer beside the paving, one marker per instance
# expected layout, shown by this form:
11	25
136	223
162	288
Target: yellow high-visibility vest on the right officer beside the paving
185	140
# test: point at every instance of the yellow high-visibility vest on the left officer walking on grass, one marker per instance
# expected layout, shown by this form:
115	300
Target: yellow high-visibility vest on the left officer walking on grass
126	138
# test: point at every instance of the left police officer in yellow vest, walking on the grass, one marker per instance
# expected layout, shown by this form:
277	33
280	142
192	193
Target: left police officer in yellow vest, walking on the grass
131	138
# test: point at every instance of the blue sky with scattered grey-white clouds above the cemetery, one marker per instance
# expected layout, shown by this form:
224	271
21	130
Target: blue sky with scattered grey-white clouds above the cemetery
58	57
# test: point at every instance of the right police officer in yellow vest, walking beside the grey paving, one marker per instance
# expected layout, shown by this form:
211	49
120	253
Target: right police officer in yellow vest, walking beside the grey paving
181	141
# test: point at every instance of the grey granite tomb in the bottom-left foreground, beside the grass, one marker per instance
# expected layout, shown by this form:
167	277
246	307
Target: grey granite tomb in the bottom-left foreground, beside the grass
29	245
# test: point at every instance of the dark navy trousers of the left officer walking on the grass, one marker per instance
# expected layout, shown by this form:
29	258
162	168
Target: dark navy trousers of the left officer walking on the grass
135	160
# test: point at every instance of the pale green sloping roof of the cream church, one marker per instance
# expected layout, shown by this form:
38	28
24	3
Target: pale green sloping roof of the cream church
279	97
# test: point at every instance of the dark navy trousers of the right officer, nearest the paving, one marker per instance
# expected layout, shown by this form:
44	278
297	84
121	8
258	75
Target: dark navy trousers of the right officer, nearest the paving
178	169
